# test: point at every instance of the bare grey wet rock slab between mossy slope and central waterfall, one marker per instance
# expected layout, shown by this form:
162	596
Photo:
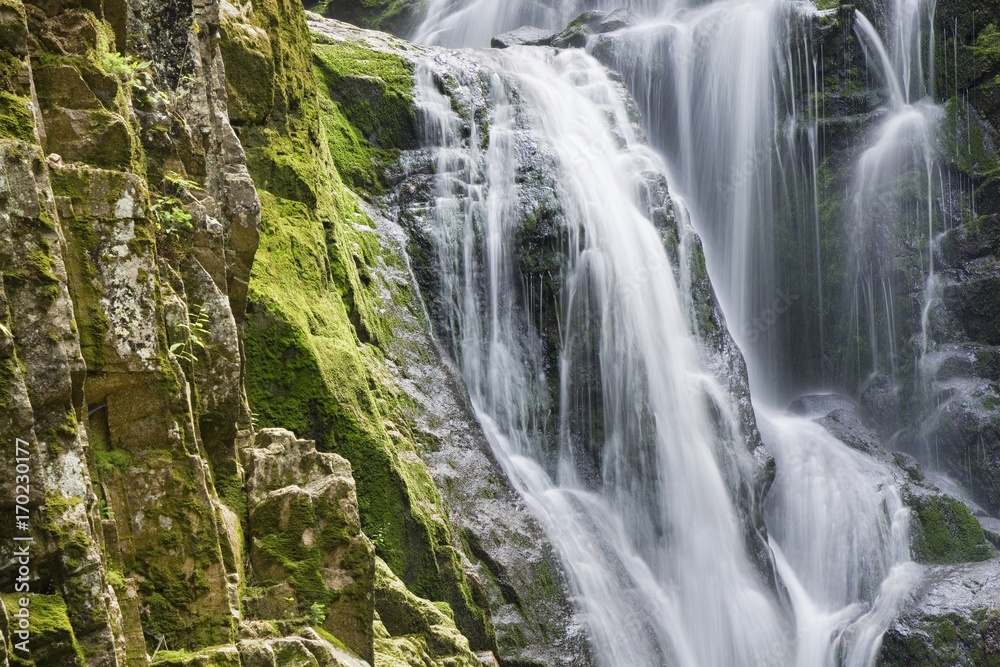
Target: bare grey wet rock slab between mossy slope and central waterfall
510	563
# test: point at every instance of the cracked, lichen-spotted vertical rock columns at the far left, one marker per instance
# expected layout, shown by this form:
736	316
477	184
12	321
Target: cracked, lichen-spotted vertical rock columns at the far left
99	364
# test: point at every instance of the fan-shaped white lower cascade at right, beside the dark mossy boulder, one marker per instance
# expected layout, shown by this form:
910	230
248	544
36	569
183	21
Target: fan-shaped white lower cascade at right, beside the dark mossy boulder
840	536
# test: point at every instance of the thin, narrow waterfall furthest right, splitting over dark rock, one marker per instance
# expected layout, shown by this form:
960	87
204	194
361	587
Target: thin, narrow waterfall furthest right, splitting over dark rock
893	189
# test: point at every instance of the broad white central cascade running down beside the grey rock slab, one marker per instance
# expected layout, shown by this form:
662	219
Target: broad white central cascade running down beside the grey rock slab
657	554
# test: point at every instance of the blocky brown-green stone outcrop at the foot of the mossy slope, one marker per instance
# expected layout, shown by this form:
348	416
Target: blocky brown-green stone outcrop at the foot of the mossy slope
305	536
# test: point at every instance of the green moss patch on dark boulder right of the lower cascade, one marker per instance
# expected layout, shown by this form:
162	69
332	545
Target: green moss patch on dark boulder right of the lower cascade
945	531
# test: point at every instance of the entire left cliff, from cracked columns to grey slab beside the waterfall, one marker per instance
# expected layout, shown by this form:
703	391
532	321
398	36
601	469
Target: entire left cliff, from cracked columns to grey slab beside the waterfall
188	267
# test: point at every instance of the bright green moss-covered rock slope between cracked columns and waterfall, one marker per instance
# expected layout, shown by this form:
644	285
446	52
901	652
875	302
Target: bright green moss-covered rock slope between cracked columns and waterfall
317	331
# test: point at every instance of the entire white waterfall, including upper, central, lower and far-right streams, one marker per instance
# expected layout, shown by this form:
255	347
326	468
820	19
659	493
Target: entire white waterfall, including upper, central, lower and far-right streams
626	445
